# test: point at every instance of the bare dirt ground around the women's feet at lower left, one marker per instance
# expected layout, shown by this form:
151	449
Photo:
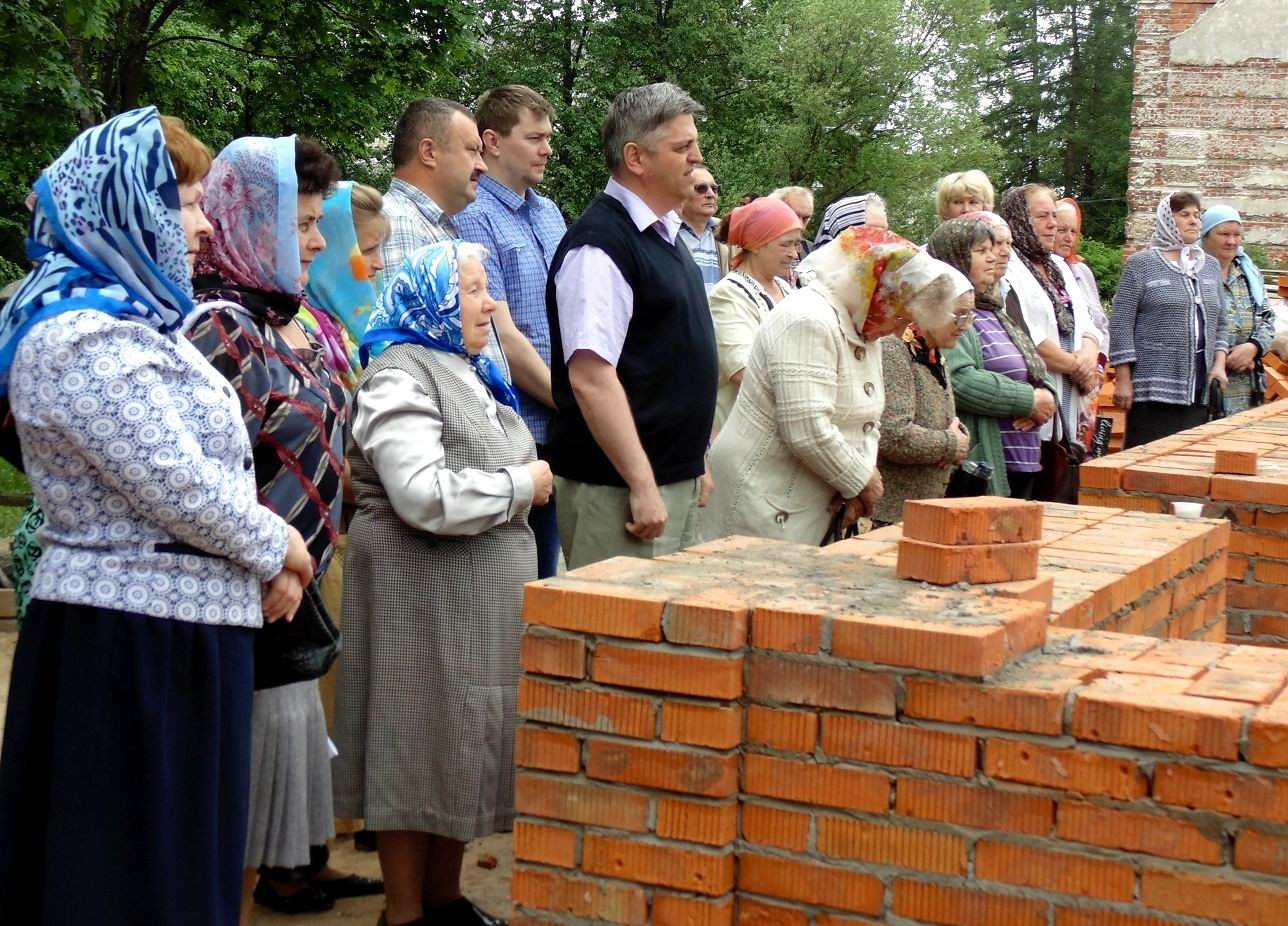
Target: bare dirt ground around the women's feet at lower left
490	889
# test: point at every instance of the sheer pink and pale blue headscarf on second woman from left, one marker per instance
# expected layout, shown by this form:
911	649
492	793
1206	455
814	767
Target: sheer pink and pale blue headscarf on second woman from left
252	204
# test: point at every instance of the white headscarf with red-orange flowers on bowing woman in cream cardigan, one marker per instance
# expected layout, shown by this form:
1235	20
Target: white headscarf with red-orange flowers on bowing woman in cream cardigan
876	276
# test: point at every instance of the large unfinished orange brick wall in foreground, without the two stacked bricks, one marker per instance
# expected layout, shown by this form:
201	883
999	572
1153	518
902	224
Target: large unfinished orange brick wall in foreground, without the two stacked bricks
761	733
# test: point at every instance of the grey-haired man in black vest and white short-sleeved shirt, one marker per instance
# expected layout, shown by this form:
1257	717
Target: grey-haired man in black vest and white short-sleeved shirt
633	348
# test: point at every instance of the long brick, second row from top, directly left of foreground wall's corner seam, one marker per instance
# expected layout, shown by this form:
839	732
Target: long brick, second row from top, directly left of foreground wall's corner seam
664	670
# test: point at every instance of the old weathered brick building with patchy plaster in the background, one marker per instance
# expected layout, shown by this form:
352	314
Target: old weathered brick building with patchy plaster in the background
1211	113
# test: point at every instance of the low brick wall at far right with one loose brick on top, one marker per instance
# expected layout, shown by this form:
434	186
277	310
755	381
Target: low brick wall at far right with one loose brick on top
1195	467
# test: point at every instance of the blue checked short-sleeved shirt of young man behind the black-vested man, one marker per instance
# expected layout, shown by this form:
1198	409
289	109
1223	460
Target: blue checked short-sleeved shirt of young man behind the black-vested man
521	235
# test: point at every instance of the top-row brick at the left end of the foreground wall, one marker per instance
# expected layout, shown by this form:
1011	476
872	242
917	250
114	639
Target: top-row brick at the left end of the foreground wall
594	609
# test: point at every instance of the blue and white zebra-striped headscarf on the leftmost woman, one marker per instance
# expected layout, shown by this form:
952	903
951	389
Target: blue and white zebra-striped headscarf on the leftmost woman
106	235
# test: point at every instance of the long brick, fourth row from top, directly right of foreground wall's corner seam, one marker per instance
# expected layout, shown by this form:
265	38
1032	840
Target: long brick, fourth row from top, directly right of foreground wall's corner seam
830	786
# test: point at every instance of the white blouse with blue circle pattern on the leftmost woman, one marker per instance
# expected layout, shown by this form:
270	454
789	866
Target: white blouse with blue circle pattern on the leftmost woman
136	453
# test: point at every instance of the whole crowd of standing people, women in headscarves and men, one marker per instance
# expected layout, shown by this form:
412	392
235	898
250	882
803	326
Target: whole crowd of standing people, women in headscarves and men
247	390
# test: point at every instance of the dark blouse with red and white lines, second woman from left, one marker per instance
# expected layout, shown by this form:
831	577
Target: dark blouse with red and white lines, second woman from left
296	413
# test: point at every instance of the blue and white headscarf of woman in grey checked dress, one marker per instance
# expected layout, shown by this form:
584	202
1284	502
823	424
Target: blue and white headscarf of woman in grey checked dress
422	305
